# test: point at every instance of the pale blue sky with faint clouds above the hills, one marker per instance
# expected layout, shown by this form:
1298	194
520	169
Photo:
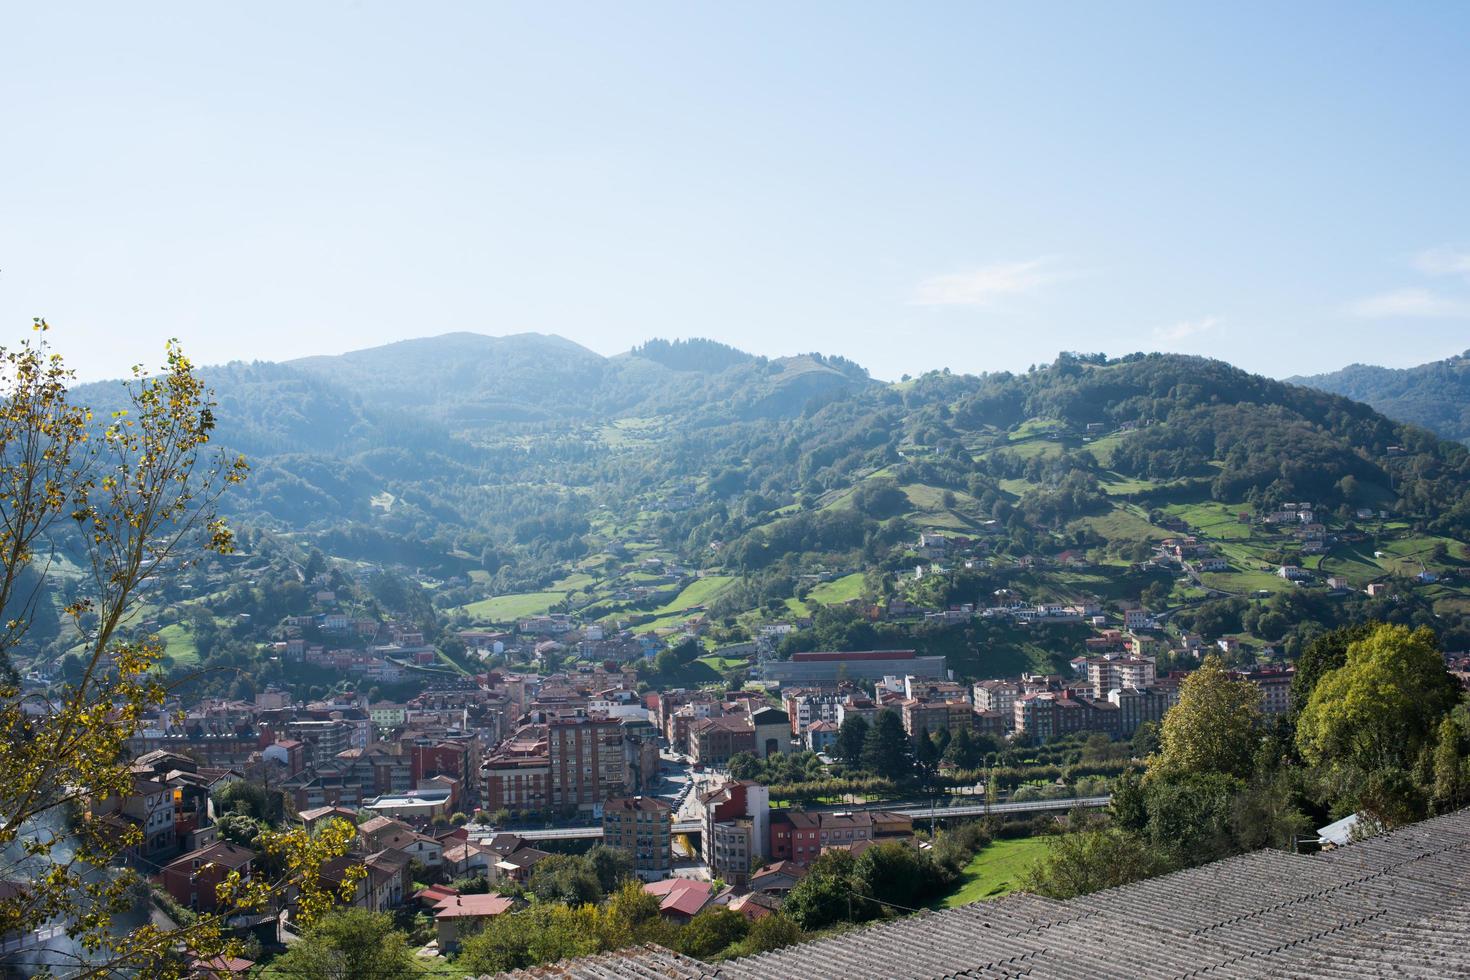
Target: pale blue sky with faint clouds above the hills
969	186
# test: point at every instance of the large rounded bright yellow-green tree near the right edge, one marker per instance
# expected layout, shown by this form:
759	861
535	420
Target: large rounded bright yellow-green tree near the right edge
1383	707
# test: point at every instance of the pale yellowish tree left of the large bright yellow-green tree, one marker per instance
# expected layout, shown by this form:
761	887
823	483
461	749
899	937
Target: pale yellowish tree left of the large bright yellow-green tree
1213	727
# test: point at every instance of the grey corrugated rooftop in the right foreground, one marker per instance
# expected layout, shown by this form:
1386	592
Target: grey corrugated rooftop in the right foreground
1393	906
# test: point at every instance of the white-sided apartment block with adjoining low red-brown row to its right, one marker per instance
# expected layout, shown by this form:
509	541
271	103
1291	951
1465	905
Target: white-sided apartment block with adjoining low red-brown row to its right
742	832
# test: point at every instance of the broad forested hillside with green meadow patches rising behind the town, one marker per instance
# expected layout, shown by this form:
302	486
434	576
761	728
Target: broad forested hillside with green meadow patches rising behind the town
526	474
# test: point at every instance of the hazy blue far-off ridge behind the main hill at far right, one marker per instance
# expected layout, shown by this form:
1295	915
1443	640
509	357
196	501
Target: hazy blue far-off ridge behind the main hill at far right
1435	396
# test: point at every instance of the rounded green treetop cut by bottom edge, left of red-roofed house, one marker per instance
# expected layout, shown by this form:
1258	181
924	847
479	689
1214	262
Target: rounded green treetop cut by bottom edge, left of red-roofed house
351	944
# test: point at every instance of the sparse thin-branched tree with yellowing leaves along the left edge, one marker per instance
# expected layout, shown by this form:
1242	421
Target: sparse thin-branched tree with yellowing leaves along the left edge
133	499
